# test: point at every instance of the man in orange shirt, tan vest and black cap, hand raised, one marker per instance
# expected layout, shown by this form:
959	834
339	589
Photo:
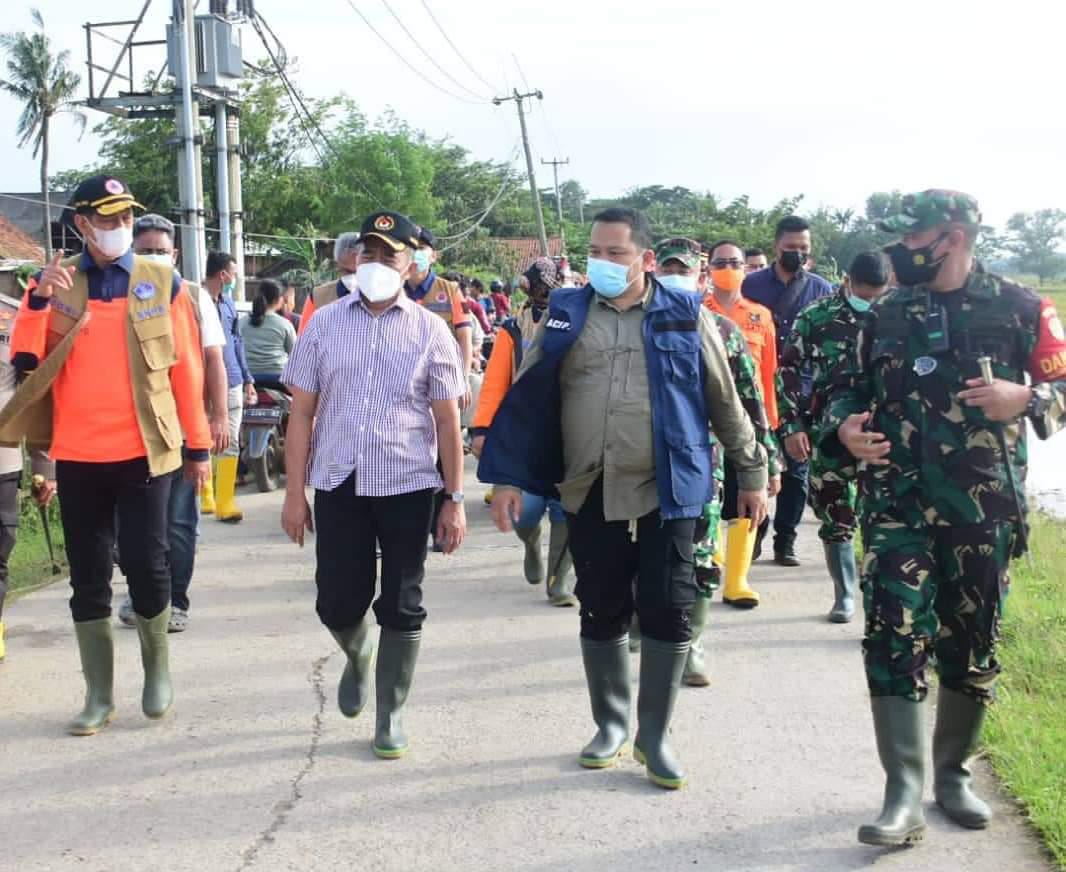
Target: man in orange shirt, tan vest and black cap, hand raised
116	378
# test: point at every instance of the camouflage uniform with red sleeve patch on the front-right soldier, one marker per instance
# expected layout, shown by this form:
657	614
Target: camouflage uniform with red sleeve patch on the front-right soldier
940	521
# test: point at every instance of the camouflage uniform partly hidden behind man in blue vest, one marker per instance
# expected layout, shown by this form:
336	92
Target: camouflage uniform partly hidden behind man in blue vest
708	572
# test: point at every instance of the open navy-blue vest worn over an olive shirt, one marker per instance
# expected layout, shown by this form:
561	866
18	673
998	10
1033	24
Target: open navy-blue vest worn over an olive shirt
525	445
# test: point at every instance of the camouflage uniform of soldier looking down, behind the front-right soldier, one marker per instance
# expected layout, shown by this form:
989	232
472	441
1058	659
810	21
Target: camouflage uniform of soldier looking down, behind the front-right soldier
823	336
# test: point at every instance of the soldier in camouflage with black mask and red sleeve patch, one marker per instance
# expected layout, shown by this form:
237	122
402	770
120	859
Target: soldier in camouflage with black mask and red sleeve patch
940	520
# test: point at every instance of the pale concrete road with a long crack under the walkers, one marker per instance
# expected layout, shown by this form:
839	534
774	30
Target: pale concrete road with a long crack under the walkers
256	769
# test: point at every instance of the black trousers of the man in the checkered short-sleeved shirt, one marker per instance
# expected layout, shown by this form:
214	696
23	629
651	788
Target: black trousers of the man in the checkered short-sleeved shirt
349	530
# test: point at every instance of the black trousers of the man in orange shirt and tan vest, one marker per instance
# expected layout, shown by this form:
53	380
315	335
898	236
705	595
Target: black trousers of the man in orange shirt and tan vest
92	497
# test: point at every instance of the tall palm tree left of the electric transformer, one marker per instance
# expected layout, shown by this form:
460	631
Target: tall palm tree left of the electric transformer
46	86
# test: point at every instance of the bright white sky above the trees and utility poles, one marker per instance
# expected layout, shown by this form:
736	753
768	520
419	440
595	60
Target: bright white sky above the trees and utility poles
833	100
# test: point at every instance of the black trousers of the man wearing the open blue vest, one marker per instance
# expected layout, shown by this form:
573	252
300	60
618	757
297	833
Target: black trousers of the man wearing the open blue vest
607	561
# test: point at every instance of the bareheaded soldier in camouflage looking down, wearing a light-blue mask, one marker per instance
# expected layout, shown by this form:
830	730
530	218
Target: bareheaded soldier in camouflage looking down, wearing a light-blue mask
822	337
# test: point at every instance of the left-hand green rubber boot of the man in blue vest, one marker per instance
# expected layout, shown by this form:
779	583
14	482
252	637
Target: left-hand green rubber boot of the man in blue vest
607	674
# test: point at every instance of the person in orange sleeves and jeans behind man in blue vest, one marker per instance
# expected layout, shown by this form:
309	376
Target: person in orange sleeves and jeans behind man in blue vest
512	340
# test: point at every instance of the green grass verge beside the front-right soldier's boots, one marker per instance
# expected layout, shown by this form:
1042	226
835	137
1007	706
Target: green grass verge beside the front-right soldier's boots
1026	737
